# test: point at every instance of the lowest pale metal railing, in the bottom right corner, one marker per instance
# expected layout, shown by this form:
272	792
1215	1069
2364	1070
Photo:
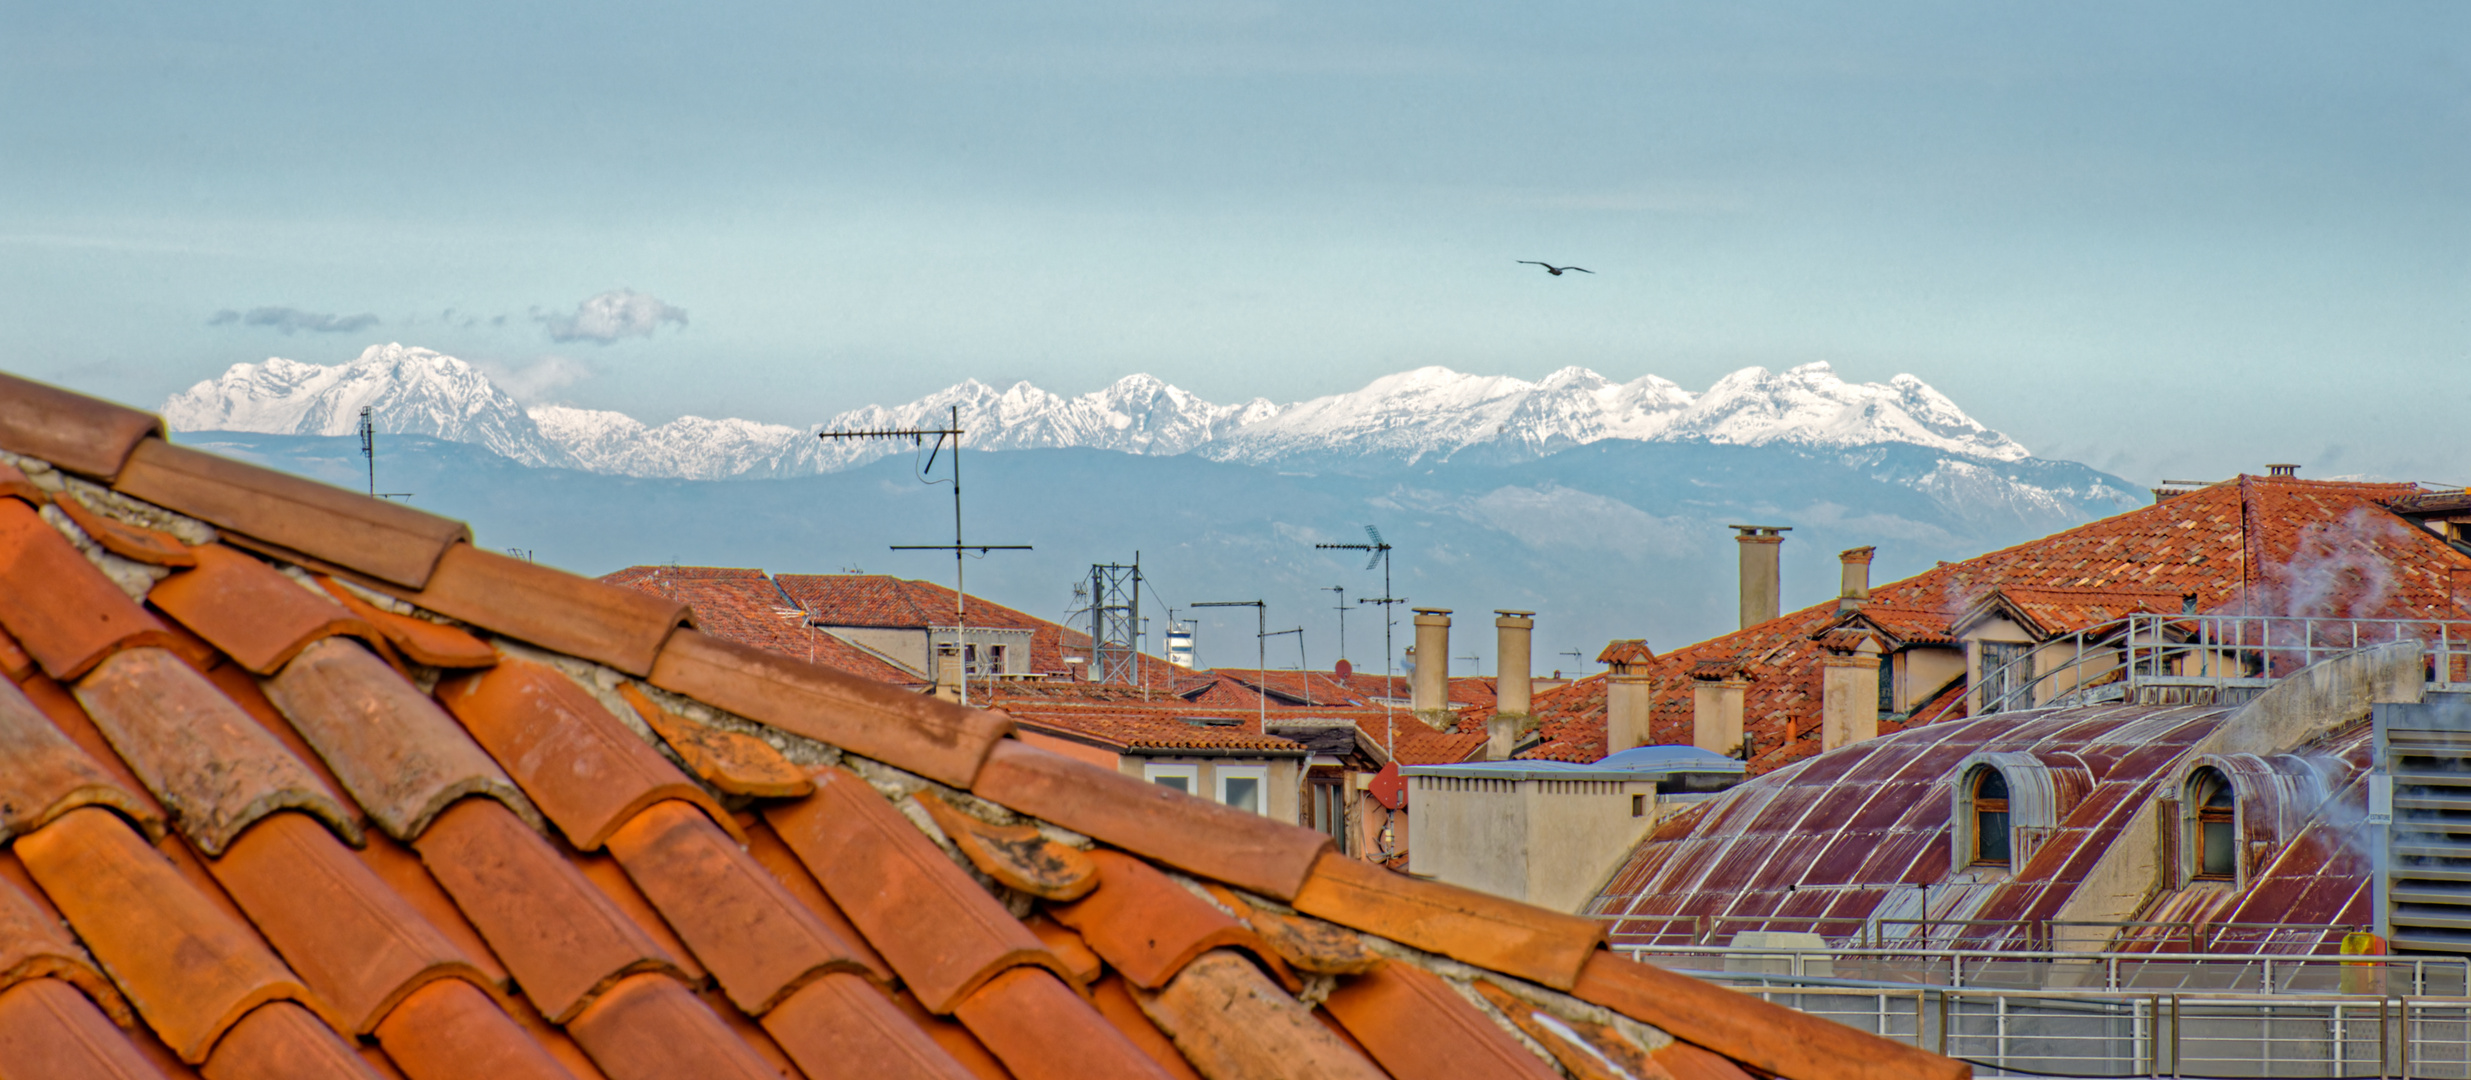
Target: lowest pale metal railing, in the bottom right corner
2156	1034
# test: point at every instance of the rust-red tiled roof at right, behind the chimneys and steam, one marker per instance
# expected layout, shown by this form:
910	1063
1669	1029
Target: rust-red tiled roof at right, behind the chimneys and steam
2252	545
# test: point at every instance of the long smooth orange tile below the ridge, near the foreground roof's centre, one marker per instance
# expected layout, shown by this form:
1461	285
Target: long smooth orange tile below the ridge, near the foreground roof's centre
928	918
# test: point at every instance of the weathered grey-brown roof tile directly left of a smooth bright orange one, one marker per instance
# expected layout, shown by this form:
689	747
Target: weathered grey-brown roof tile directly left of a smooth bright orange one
387	743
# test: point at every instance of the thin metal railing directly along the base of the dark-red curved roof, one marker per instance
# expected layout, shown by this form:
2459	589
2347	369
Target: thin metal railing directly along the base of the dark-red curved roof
1929	933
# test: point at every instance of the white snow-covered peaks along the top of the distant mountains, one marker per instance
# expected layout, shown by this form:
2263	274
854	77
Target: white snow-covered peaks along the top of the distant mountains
1402	419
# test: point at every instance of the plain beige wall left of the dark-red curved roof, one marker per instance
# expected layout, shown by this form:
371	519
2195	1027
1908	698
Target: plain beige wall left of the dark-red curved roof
1541	842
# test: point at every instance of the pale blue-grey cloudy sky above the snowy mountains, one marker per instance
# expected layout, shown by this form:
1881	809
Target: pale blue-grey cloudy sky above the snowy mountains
2168	241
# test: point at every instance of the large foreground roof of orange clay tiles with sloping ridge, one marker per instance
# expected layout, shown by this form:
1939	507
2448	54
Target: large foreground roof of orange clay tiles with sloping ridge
330	869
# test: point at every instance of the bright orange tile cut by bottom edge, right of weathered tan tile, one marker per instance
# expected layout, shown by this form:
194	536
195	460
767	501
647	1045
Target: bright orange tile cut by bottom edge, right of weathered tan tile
1415	1024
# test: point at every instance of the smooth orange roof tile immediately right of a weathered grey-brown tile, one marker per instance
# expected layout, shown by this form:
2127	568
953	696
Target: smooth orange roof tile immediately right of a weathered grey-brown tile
577	762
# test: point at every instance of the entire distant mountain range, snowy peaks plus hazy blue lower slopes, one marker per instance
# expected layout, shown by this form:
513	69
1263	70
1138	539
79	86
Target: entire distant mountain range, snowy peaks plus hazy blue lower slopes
1600	505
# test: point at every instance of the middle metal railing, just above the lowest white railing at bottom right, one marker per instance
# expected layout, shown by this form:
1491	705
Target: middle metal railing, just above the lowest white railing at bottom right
2109	972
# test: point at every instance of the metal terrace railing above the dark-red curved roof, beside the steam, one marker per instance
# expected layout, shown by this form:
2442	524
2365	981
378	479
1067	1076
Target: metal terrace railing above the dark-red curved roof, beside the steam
2195	659
